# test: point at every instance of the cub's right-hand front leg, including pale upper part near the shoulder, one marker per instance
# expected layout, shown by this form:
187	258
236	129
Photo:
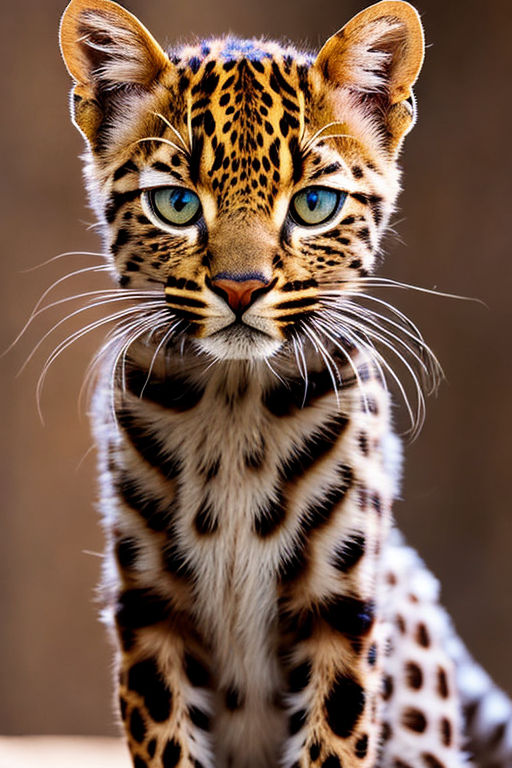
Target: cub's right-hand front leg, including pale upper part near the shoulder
333	642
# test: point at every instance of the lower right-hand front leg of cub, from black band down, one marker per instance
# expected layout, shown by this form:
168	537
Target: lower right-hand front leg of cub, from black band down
334	687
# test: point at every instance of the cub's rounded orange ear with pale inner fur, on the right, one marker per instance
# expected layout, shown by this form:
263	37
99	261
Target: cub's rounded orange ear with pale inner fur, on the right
378	56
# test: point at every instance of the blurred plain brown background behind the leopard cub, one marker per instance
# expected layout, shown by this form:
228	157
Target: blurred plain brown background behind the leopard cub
454	223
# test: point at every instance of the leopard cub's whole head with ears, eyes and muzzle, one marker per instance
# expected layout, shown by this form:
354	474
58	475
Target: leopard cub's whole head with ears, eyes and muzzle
249	183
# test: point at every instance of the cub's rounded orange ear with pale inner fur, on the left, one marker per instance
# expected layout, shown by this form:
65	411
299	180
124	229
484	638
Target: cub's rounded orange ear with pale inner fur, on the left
105	48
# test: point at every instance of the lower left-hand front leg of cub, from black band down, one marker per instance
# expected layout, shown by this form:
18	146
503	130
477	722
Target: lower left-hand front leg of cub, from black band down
164	684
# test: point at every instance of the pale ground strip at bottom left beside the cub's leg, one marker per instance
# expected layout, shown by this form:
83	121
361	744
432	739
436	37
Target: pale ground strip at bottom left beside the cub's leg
62	752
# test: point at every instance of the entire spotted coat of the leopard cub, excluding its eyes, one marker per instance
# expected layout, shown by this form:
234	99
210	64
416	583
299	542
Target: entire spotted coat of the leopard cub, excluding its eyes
265	609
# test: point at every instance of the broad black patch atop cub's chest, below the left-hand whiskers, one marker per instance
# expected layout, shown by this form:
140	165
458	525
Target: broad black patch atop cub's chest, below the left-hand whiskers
173	393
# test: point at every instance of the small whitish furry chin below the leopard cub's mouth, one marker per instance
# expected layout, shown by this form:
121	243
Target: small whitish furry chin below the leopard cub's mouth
239	342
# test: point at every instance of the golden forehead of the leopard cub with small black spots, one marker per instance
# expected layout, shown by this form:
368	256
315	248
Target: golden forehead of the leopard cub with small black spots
246	102
